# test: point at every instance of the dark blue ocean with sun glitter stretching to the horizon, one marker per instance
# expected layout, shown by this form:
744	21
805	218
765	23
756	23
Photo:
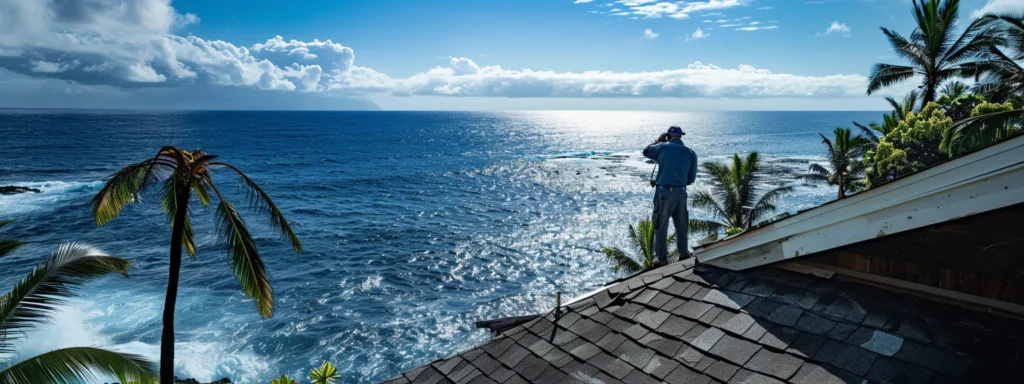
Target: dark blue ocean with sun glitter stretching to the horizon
415	225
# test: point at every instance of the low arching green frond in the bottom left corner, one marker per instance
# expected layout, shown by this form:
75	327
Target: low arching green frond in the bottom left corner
73	366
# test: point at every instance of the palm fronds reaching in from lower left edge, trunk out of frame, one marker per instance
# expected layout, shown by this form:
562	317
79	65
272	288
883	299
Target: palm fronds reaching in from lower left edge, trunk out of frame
38	296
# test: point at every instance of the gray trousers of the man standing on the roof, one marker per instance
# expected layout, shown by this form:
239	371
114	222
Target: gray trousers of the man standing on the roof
670	204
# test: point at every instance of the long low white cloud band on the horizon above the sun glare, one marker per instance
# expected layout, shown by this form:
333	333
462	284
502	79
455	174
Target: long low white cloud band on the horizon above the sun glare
698	80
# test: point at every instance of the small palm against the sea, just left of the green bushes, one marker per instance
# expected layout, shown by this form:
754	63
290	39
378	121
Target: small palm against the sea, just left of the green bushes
846	169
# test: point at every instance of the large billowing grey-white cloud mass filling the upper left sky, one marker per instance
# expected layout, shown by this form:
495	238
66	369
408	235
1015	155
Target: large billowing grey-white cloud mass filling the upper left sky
130	44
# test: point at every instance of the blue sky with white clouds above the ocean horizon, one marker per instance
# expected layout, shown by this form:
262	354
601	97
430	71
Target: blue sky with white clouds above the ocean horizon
452	55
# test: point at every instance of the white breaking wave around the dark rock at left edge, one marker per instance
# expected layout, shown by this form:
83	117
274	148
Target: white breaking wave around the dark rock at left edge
54	194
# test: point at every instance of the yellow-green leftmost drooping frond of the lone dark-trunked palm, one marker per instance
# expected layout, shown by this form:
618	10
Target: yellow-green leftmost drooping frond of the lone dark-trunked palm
123	188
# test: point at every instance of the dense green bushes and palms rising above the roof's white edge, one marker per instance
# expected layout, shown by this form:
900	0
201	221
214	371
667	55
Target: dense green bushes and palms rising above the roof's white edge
917	136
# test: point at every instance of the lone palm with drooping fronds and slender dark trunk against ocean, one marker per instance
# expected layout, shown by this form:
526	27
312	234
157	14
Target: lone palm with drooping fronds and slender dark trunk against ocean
189	174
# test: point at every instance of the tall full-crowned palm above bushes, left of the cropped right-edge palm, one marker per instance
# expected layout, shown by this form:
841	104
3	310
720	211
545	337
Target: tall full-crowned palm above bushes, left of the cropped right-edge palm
933	52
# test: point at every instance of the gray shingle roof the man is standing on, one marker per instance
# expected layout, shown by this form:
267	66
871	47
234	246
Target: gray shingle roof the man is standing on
685	325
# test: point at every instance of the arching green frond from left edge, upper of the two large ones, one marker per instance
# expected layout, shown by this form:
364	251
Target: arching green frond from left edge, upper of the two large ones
35	298
